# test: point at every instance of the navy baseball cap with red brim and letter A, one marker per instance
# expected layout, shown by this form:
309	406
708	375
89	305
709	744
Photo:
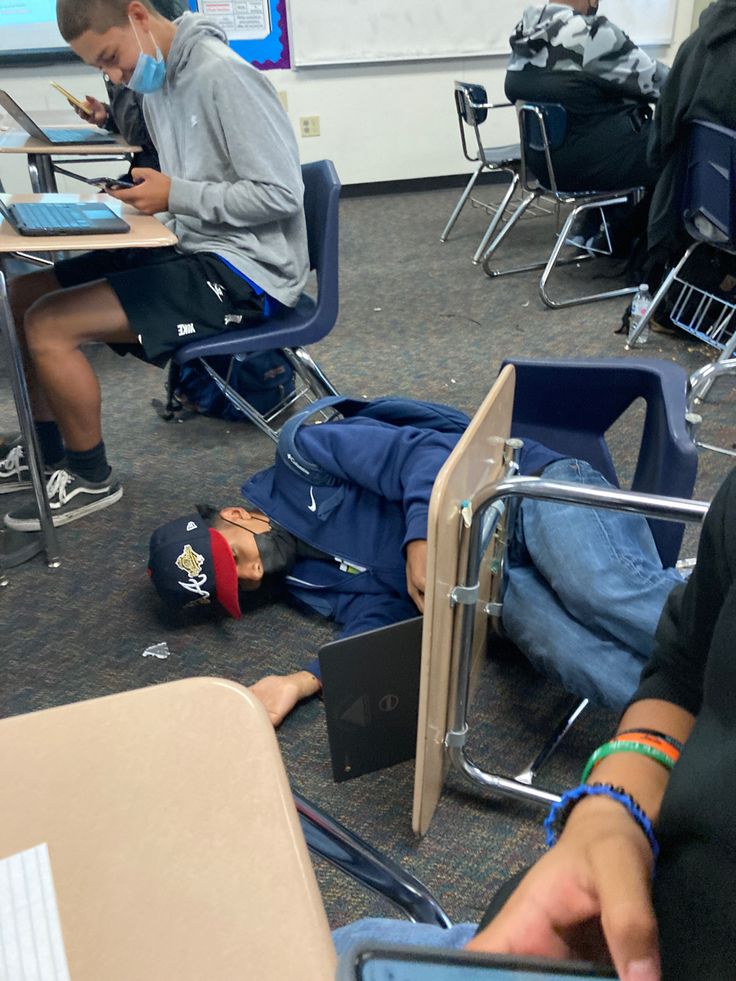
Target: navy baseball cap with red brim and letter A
191	564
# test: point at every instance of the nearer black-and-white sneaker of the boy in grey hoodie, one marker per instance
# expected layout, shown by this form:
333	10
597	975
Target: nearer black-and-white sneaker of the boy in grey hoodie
70	497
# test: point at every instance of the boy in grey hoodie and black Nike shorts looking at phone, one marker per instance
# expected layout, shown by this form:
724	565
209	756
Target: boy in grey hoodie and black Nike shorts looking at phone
231	190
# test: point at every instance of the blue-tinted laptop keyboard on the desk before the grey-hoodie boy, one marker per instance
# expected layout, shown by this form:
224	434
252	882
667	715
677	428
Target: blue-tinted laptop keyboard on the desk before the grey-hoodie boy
63	218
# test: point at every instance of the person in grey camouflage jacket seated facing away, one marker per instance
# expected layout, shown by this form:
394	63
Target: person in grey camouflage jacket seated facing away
568	53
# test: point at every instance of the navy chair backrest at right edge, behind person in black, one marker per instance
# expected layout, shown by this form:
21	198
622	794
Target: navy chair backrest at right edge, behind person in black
710	185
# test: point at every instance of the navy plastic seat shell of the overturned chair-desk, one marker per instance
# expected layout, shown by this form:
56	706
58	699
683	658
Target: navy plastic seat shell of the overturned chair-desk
569	406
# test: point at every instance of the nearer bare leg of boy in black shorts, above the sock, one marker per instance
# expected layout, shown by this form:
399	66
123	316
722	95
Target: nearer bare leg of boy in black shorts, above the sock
55	327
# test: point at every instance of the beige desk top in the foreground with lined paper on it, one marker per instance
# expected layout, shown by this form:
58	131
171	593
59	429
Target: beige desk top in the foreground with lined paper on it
175	846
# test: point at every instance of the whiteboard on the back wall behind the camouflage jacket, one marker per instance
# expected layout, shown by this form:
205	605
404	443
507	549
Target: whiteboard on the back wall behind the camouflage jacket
339	32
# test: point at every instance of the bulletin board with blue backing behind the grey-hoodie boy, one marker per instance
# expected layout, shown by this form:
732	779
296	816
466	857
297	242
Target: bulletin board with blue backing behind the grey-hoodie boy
256	29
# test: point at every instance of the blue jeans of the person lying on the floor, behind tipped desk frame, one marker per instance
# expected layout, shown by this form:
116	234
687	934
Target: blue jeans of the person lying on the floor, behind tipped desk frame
584	592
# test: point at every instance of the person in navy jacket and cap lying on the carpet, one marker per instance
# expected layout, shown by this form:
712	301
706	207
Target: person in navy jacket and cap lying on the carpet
341	521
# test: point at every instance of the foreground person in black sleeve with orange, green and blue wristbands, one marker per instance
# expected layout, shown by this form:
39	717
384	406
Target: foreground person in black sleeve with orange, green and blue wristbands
659	903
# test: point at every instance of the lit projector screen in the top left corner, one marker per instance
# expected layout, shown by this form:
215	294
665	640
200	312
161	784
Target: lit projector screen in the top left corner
28	32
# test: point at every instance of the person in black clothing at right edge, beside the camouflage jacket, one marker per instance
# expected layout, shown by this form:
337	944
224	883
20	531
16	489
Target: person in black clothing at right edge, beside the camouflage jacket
700	86
